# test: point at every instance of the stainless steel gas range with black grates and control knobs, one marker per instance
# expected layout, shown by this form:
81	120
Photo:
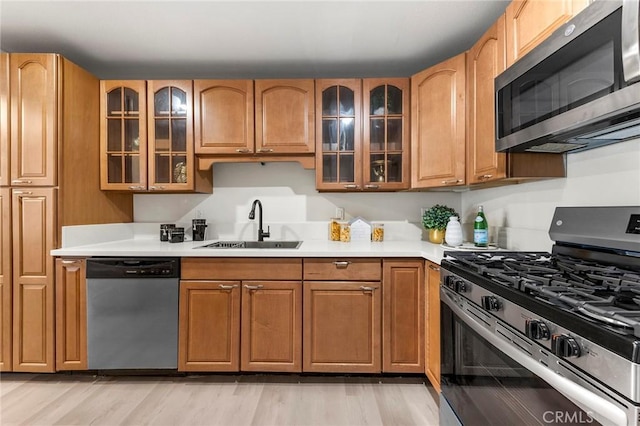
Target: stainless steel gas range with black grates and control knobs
546	338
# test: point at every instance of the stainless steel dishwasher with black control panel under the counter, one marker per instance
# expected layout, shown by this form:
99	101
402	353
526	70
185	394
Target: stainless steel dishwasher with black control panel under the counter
132	313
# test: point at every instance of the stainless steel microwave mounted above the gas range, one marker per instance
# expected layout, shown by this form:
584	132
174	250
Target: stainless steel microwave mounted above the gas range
577	90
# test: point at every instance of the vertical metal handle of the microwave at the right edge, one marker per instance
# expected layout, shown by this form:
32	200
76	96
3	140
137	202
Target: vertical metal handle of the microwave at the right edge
631	40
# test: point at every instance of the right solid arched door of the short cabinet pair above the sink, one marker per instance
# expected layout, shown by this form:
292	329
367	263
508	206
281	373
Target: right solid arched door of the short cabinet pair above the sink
285	116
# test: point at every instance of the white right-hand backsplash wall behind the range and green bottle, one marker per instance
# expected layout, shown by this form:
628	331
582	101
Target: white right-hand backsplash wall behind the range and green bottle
519	216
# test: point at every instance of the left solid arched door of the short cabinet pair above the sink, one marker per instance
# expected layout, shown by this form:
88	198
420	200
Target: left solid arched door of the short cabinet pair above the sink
223	116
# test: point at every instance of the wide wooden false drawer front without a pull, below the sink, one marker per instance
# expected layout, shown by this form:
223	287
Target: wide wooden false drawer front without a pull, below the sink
234	268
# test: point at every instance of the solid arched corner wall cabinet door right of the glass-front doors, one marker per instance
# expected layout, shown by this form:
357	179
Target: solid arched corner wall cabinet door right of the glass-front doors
438	125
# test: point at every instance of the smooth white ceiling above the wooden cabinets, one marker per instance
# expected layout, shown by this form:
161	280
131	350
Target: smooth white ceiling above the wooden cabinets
247	39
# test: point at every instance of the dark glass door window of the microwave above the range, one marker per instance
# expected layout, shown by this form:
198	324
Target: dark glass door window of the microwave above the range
587	68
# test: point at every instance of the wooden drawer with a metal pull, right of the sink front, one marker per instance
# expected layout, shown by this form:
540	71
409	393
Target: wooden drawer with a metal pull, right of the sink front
342	269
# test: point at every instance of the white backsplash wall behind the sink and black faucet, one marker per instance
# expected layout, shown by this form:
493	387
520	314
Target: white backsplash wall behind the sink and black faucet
288	195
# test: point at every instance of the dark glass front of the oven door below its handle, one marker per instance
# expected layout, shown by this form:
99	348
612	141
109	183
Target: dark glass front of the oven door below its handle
486	387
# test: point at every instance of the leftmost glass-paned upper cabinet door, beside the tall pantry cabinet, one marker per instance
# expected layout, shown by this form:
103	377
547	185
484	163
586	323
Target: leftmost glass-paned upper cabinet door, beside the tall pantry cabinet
123	135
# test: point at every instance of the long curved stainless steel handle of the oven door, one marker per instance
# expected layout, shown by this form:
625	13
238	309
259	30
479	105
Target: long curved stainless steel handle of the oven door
598	408
